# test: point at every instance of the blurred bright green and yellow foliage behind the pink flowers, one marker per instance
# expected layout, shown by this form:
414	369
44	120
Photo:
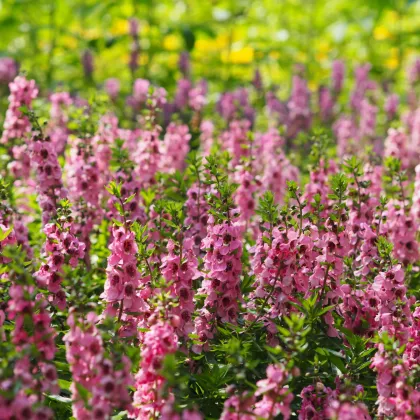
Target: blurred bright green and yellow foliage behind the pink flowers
72	43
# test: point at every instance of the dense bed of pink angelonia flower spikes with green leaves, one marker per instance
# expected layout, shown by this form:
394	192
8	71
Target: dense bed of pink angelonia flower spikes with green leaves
189	256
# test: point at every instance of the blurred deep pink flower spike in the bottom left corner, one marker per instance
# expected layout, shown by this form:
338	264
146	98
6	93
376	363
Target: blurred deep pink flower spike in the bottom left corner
33	373
